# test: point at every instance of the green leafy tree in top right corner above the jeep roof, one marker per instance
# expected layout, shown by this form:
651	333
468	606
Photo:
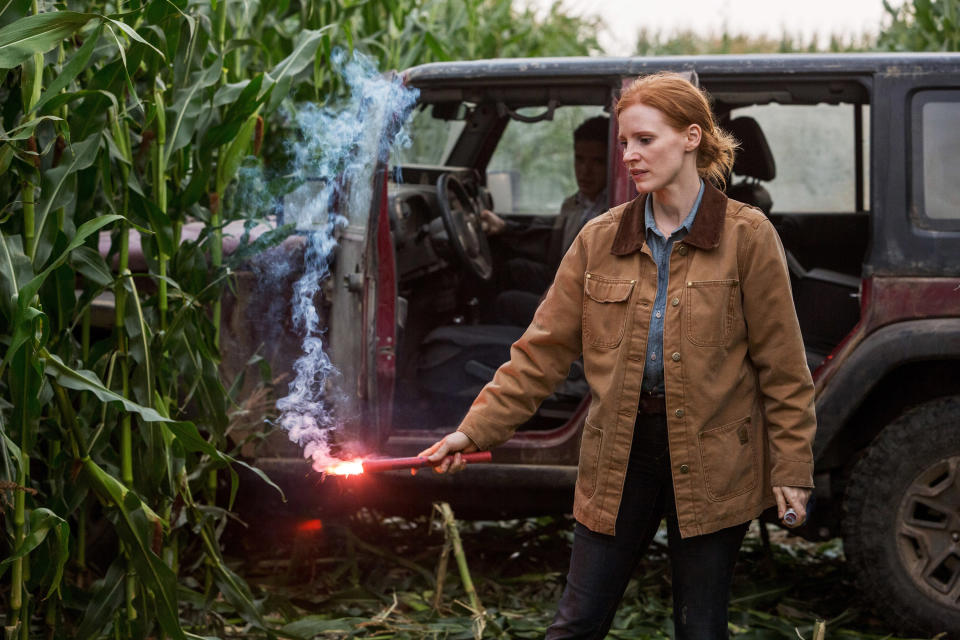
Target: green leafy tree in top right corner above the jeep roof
922	25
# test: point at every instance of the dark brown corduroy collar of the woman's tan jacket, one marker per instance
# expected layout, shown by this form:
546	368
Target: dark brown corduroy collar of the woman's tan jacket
704	234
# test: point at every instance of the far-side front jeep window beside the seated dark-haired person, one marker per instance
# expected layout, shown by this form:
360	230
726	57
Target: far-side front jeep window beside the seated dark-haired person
531	171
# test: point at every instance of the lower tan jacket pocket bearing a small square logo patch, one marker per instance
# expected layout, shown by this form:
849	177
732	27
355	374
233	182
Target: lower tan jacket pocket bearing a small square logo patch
727	459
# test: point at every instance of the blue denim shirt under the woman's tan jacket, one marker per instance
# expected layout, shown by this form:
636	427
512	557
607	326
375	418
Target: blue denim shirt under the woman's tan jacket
661	248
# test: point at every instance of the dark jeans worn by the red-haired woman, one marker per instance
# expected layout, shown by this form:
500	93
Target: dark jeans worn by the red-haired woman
601	565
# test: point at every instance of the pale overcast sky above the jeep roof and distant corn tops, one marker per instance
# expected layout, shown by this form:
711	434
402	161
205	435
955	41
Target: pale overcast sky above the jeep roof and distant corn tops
624	18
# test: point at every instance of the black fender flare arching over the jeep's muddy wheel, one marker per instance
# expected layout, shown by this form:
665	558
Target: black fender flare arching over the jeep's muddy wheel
875	357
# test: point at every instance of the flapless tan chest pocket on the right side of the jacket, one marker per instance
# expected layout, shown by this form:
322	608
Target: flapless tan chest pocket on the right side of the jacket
711	306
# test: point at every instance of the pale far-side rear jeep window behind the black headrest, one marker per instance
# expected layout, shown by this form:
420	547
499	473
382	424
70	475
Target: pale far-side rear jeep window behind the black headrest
814	147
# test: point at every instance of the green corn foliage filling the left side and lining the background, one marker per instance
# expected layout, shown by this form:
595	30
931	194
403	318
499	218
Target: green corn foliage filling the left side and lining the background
117	474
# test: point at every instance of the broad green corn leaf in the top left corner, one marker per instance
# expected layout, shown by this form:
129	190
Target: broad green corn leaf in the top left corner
38	34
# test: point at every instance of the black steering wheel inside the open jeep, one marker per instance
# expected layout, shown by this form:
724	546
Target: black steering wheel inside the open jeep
461	219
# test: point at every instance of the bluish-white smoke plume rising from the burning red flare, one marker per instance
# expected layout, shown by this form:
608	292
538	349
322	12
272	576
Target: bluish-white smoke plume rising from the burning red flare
336	161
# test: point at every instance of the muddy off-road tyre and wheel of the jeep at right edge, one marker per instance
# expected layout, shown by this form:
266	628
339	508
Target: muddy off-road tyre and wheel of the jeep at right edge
901	527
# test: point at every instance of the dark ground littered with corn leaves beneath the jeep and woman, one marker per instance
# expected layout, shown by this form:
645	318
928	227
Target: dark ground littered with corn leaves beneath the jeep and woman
374	577
